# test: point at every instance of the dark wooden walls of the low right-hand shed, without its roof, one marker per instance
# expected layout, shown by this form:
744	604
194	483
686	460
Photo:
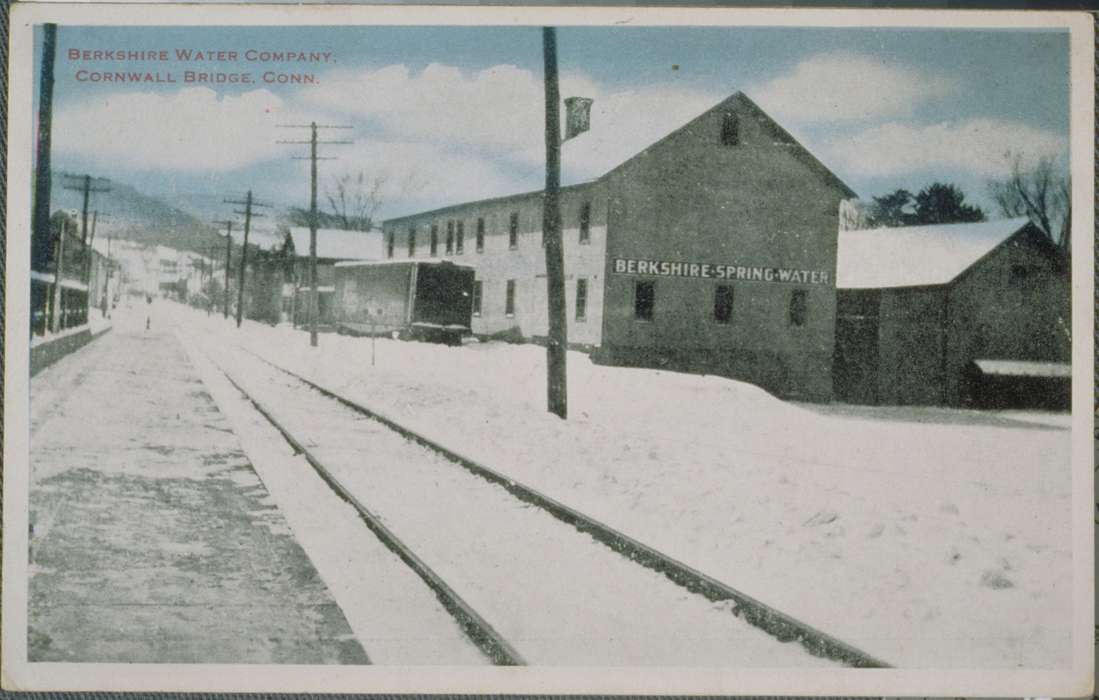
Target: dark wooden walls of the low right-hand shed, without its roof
917	346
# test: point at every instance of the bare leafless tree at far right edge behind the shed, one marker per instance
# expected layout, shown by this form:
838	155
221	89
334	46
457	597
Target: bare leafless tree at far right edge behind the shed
1040	192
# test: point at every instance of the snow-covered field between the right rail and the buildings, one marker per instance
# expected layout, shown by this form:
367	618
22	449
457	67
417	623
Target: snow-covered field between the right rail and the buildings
928	539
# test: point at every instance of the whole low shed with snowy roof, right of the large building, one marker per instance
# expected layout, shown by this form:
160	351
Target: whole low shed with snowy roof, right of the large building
953	315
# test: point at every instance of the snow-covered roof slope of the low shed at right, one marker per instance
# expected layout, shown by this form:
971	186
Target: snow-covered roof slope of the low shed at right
916	257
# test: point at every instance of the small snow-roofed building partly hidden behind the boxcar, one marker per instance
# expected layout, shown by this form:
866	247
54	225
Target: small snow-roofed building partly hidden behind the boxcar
334	246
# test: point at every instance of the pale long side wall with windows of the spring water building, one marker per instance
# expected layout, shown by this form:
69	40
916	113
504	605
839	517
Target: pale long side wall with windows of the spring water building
525	263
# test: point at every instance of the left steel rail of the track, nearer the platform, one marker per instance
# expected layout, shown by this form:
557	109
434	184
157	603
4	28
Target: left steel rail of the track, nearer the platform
475	627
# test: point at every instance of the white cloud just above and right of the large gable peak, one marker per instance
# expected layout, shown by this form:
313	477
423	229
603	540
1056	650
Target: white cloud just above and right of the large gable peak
846	86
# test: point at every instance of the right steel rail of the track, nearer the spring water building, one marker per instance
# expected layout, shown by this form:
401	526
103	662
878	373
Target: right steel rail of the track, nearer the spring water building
779	625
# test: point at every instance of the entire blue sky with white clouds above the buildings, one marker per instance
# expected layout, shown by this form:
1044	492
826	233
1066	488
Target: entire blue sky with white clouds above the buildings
454	114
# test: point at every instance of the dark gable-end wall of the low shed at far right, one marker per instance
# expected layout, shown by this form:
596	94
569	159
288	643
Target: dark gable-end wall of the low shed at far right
1015	305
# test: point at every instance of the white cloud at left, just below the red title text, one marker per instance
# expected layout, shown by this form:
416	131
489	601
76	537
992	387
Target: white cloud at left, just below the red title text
192	130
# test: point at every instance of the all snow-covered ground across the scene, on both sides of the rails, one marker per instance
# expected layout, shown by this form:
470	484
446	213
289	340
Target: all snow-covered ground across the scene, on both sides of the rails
908	534
